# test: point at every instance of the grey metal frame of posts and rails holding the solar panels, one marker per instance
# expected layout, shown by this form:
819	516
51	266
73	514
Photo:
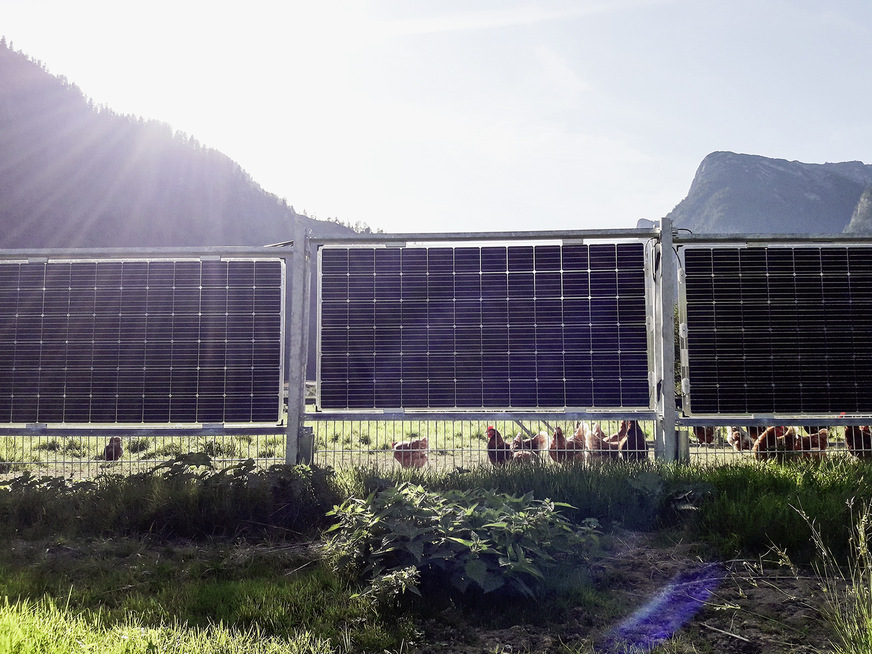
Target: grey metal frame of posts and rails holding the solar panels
663	277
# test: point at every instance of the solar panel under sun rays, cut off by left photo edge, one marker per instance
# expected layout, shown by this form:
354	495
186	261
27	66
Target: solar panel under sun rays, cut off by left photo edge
155	341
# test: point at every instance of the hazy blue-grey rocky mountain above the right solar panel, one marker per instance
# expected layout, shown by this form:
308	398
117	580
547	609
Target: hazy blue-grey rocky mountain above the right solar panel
741	193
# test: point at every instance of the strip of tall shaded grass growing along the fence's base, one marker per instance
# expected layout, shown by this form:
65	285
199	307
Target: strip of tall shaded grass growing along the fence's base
739	509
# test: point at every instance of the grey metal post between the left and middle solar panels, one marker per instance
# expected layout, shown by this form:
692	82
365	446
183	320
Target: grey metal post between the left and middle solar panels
296	356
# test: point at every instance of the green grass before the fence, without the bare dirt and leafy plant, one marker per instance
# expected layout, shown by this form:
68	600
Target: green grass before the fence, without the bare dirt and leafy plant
187	557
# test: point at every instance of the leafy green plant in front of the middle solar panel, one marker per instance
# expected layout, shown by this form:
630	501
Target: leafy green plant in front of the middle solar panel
474	541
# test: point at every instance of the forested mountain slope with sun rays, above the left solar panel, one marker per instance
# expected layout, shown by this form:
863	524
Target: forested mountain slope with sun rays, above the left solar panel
76	175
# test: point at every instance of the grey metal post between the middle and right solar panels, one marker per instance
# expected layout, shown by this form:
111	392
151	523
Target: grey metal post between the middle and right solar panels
666	435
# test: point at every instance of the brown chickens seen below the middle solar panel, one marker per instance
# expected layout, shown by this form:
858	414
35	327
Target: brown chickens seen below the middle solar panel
587	444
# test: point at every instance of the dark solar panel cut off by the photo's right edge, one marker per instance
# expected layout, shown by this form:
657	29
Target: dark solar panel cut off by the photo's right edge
778	329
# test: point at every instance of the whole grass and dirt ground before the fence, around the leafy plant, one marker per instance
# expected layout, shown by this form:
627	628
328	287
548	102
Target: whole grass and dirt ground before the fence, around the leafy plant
191	557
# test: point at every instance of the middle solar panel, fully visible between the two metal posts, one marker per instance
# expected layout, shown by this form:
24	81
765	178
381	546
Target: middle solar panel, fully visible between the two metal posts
477	327
